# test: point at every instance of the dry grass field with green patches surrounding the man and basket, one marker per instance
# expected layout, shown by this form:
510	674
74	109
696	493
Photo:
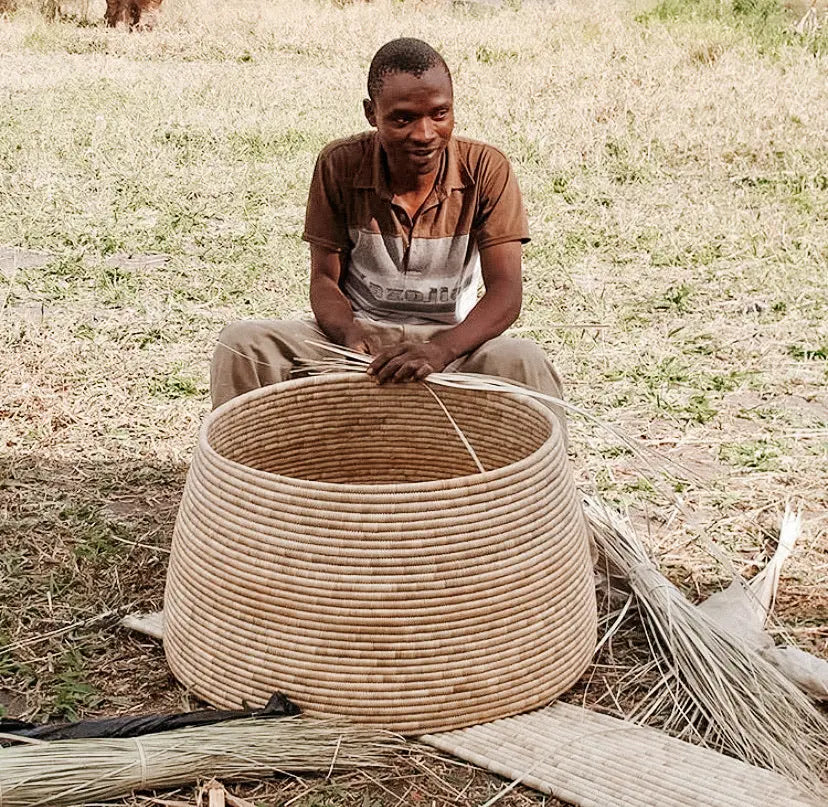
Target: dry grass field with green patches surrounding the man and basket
674	161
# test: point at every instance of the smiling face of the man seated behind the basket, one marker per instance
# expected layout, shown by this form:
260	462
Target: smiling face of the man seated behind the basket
414	118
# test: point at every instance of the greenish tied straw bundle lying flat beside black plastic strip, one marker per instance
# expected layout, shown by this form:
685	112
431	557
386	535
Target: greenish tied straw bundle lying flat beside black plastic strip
75	771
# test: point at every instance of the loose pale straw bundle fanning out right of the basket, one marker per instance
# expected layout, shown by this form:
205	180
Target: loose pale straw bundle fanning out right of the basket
728	694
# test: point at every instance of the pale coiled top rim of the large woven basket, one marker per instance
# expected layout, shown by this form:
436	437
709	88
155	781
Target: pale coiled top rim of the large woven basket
425	486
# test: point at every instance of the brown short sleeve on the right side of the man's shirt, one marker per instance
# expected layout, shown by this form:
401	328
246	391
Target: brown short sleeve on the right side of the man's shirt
500	215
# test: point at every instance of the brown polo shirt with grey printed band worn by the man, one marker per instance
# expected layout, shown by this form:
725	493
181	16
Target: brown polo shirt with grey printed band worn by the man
412	272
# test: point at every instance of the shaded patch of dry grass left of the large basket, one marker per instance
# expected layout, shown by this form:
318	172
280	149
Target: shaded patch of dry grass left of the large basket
81	544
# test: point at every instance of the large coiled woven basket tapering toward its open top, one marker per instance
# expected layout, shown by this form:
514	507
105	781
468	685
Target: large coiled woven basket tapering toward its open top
336	542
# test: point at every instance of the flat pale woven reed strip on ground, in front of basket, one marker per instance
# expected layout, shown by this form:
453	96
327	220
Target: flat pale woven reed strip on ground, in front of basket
594	760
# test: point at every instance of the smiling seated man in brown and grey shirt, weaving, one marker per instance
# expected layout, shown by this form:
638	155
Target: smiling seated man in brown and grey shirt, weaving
403	222
